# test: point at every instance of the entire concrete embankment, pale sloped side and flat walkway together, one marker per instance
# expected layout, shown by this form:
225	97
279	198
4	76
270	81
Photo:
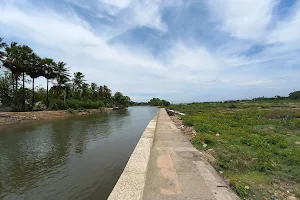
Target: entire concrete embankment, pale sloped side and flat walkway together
165	165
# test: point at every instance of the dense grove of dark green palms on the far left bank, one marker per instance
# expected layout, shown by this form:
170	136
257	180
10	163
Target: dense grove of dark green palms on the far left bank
22	65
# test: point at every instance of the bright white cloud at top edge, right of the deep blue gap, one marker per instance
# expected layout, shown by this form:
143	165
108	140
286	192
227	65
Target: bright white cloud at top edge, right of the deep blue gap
244	19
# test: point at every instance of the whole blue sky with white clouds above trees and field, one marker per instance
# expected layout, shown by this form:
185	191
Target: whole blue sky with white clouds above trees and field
179	50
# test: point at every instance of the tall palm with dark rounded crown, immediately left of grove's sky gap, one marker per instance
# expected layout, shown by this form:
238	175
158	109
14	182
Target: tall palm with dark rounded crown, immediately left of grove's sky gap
34	71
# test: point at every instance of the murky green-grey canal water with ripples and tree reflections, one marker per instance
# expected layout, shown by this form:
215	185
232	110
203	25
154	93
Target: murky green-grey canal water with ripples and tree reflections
76	158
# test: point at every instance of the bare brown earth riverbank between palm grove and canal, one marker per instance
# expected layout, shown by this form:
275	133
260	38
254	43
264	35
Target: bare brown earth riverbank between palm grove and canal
22	117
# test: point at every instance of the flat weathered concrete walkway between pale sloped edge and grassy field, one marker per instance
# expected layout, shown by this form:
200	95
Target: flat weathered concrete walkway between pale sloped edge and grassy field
178	171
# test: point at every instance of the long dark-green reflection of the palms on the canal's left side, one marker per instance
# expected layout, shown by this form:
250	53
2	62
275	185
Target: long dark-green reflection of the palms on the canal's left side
24	170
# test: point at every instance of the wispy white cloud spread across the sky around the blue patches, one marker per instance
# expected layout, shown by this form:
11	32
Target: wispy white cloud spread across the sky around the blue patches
188	71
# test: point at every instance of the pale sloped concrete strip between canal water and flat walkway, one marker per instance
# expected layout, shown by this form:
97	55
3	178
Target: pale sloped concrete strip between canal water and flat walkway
131	183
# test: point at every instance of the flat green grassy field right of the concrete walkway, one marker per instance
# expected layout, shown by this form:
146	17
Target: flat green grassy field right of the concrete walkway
256	144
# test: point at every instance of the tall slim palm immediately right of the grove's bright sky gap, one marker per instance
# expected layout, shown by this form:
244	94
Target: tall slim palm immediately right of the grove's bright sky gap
49	73
